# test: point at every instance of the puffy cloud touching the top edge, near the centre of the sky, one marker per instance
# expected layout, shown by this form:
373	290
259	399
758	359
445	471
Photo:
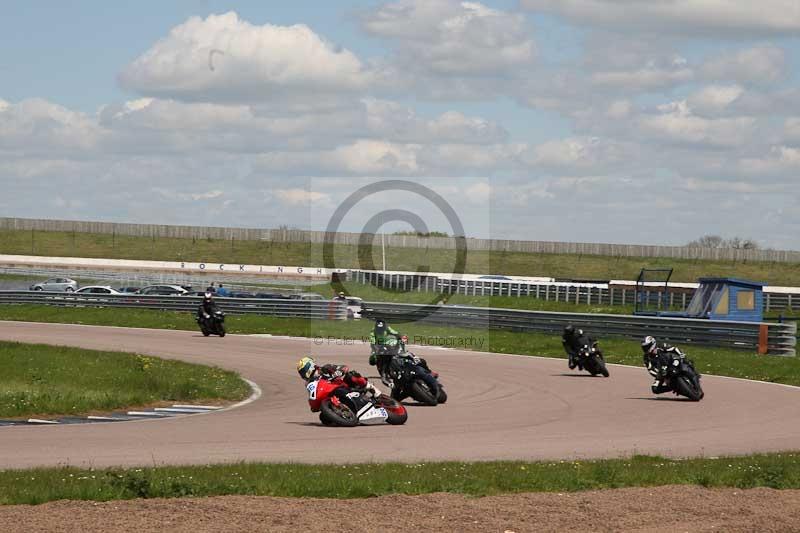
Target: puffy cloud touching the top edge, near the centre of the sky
449	37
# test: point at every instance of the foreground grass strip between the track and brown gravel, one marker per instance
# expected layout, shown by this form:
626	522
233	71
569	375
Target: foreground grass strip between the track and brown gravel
780	471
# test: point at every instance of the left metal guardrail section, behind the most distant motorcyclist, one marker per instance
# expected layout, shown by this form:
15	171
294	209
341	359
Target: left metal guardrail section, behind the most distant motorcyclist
287	308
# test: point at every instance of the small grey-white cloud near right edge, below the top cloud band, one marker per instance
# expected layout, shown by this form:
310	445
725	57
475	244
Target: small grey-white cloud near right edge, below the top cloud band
759	64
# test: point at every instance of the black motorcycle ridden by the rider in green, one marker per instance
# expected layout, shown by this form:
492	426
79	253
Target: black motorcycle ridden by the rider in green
411	376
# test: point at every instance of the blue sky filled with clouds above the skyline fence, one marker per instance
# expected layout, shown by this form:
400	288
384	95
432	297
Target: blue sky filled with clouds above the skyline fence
642	122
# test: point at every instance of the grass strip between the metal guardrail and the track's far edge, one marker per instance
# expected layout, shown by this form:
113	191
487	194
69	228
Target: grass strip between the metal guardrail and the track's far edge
708	360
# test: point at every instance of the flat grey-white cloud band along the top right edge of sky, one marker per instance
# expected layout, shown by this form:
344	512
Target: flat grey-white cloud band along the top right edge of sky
728	18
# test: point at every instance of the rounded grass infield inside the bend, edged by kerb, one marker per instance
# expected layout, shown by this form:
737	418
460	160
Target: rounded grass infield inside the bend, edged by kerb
38	380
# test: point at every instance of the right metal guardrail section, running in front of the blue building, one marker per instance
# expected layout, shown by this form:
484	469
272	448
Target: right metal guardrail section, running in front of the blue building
776	339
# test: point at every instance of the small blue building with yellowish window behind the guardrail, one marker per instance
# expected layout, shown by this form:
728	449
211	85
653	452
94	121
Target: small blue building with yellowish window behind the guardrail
728	299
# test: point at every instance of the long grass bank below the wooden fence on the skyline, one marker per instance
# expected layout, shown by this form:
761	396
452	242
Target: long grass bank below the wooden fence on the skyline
68	244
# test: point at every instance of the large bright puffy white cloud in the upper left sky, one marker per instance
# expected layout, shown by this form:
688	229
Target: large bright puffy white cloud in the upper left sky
258	62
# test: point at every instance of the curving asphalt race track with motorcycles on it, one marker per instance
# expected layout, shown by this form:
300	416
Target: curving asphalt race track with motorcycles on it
499	407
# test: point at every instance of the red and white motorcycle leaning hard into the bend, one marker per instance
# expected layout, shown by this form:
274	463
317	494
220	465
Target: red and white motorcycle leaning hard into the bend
340	405
